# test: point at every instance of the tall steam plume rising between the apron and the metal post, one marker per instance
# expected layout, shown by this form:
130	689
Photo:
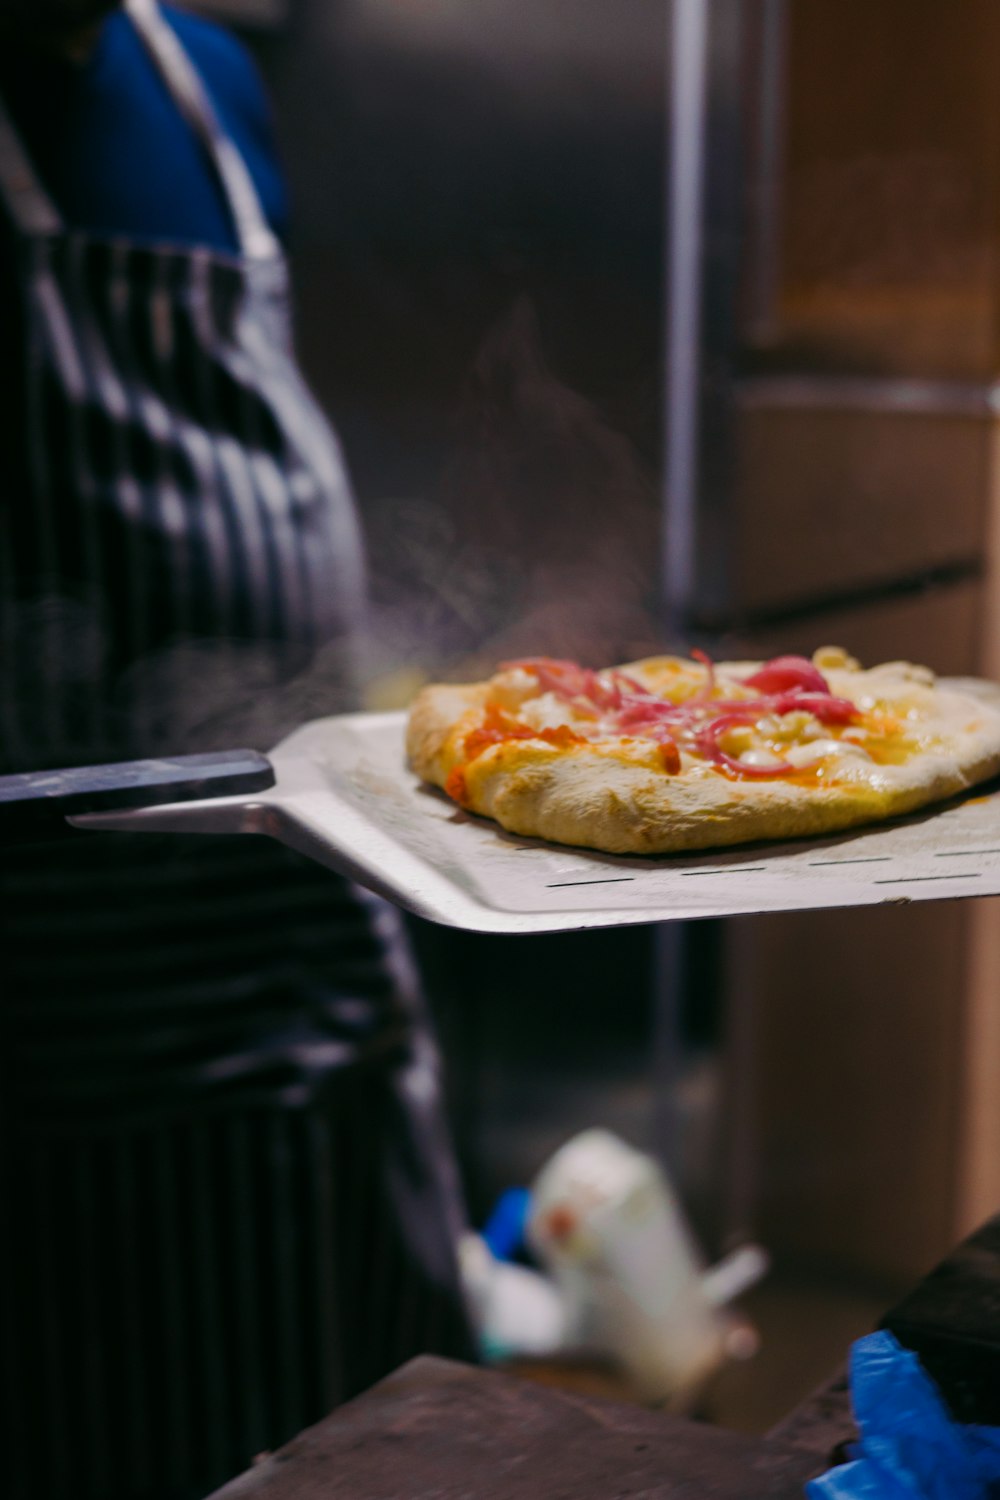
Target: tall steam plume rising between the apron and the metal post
542	536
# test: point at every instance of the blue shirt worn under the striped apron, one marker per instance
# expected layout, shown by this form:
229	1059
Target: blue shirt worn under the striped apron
113	149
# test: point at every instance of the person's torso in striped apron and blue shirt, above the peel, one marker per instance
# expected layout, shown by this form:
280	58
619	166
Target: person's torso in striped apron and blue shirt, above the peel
178	538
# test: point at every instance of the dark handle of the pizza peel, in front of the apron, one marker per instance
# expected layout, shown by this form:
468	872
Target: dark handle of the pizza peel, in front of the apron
37	805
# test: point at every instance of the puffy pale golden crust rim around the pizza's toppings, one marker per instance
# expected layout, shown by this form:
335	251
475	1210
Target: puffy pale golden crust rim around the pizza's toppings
597	799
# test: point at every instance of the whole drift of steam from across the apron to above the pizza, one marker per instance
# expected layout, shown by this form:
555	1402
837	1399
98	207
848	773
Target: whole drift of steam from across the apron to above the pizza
540	538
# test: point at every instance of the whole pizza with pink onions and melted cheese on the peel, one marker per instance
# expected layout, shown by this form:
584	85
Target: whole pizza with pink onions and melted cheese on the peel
675	754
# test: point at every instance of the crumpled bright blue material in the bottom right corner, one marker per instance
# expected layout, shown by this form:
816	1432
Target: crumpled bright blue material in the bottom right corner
911	1447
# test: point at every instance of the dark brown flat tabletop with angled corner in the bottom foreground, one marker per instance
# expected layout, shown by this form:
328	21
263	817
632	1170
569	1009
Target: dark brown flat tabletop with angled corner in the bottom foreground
445	1432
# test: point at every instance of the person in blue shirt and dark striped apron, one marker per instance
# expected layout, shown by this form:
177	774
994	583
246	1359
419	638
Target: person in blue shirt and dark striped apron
229	1202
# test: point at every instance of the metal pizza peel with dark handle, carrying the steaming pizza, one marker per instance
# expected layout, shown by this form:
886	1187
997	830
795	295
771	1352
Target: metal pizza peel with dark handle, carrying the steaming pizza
343	796
